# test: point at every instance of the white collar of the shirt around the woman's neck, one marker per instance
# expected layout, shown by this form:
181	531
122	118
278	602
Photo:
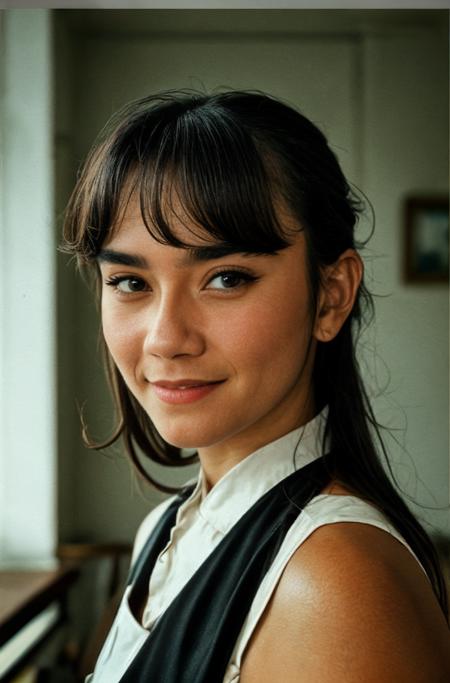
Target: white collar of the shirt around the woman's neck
251	478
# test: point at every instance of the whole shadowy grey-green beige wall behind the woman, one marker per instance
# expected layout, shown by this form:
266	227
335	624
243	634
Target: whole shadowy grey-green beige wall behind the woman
377	84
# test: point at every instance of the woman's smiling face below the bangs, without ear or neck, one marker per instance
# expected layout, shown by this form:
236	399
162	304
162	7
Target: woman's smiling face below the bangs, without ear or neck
214	346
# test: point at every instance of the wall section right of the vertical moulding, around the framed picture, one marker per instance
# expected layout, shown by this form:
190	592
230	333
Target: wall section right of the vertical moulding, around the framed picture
406	151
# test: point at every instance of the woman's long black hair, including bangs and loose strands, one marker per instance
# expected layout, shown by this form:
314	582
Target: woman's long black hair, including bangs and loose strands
229	158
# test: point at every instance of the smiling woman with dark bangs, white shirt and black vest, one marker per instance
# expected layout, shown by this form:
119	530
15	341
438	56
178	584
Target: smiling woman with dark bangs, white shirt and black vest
221	231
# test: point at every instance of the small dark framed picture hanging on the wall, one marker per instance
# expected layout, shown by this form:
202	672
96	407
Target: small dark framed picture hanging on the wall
426	243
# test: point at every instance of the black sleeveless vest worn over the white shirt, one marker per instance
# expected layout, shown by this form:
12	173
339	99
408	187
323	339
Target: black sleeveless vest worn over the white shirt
194	638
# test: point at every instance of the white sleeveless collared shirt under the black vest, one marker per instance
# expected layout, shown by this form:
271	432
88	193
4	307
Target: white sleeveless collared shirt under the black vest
201	523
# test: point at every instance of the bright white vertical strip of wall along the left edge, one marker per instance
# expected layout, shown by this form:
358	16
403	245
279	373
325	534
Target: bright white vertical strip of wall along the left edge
27	294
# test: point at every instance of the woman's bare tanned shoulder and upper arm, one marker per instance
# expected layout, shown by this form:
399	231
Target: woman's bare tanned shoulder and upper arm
352	604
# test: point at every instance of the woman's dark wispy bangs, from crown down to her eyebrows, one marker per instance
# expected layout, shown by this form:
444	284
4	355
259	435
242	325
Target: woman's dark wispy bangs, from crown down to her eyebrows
199	166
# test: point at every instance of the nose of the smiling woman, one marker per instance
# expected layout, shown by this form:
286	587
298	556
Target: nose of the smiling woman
173	329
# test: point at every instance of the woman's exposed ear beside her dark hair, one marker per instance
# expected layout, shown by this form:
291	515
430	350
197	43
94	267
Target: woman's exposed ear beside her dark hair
340	283
